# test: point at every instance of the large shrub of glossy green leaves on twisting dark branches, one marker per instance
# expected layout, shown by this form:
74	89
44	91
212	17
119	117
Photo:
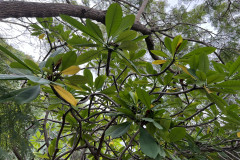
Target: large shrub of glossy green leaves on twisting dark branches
107	102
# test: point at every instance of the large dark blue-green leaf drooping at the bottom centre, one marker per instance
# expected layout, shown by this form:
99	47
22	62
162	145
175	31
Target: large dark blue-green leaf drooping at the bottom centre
148	144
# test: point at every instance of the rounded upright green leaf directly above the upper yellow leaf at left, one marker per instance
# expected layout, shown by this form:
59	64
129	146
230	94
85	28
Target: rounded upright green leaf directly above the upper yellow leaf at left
68	59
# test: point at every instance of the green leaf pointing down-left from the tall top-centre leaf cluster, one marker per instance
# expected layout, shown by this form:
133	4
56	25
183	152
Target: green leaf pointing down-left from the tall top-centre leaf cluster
86	57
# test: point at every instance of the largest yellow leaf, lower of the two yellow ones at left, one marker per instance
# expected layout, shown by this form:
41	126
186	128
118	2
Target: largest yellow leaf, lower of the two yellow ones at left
67	96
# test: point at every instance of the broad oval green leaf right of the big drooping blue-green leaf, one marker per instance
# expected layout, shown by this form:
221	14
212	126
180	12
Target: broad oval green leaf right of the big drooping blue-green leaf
177	134
